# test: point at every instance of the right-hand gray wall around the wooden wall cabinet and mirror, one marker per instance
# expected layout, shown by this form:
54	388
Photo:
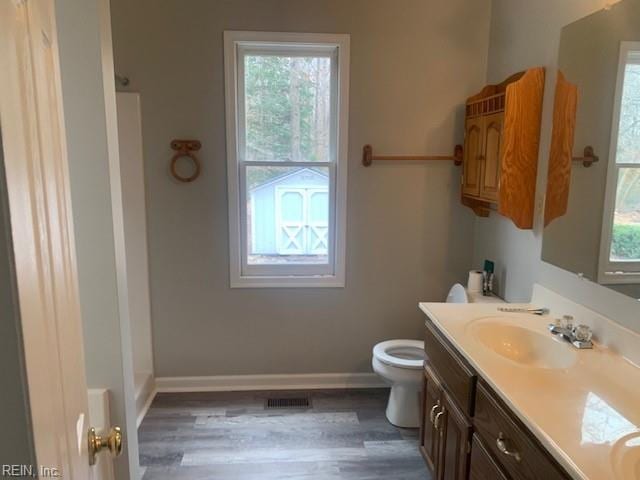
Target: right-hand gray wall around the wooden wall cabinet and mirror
525	34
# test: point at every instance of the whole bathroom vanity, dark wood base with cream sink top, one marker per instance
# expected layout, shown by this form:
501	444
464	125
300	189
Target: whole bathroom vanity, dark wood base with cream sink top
505	399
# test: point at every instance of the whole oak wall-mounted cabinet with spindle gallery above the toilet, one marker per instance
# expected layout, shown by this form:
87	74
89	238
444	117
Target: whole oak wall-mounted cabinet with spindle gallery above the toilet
502	137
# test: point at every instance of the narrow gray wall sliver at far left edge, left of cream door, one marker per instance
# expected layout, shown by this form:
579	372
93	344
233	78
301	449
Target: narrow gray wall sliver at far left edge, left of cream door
16	446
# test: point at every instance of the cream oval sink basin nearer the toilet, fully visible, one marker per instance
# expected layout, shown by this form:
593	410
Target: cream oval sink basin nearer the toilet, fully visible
521	345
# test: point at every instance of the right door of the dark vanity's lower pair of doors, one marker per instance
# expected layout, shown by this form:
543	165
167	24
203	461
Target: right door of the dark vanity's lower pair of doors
455	442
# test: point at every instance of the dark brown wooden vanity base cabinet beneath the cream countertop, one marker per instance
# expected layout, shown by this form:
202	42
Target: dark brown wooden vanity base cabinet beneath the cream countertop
467	432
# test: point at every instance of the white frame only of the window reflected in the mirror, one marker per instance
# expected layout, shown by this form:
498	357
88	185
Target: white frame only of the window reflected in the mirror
620	272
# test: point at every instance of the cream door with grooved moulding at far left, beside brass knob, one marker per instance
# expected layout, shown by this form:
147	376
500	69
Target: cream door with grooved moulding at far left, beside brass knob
41	228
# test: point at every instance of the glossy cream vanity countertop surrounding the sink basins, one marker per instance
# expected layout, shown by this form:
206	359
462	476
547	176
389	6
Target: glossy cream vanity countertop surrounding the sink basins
586	415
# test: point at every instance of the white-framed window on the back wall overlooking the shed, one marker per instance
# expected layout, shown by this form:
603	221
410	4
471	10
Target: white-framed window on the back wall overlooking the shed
287	106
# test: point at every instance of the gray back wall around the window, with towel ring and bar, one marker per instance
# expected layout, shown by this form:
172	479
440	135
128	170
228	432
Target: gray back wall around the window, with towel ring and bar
413	62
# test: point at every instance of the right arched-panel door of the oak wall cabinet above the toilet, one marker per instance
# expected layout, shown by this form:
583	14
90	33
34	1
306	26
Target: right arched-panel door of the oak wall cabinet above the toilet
491	156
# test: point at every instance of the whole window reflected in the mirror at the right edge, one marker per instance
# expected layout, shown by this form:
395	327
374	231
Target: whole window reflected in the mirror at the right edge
620	246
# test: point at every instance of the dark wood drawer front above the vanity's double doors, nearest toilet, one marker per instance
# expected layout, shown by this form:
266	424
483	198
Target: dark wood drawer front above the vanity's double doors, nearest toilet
457	377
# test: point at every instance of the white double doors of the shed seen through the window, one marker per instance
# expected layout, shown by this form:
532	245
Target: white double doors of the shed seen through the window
302	221
